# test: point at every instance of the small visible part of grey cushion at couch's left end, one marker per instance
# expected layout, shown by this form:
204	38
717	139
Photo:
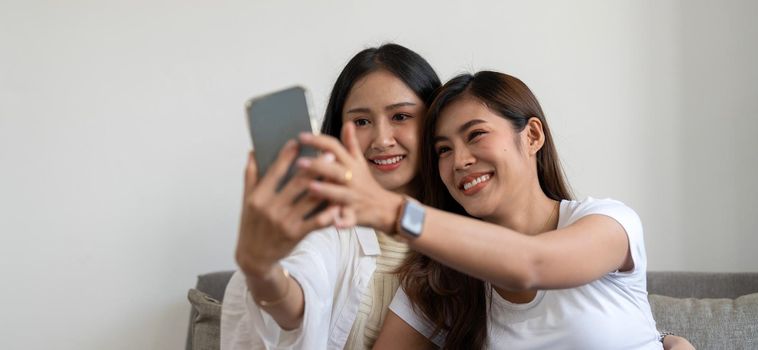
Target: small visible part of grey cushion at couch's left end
206	318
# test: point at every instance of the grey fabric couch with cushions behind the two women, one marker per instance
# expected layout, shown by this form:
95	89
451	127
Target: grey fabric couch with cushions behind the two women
711	310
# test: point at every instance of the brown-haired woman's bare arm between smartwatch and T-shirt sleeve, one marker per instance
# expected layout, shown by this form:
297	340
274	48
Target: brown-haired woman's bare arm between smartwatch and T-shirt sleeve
571	256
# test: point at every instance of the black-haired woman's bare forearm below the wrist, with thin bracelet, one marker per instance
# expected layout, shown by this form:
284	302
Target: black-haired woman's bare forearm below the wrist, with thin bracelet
278	295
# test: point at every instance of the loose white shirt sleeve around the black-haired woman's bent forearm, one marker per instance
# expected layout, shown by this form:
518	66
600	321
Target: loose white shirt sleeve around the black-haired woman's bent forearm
313	264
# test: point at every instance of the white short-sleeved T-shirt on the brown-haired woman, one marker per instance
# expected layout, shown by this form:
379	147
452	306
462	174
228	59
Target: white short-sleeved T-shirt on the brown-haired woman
610	313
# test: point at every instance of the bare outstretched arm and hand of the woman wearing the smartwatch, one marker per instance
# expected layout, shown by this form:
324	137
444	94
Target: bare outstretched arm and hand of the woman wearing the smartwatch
585	251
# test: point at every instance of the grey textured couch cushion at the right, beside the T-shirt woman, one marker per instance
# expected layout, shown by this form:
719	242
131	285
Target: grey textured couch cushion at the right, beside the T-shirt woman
709	323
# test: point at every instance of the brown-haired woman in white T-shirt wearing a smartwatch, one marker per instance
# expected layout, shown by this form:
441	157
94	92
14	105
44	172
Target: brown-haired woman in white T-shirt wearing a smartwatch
503	256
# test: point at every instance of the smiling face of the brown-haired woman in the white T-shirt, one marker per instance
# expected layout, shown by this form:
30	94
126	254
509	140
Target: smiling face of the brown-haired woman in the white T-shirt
483	161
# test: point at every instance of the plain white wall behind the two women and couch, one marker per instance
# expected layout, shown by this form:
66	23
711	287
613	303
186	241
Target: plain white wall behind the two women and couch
122	138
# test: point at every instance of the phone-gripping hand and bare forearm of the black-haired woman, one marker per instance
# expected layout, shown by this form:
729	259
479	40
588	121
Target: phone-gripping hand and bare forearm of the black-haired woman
271	225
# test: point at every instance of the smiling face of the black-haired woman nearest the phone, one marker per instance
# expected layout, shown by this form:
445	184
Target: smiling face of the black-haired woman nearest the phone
387	115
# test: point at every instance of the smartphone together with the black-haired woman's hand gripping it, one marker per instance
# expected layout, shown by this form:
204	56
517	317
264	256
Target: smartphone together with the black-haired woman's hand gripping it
277	212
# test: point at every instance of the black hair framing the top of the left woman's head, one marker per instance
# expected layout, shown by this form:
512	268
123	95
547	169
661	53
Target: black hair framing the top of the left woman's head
402	62
